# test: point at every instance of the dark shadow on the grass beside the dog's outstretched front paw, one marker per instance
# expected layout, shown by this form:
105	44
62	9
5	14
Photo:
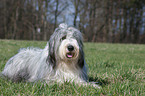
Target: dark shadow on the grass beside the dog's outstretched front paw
99	81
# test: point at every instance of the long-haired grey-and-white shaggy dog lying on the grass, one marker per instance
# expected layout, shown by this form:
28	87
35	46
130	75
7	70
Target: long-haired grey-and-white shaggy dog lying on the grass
61	60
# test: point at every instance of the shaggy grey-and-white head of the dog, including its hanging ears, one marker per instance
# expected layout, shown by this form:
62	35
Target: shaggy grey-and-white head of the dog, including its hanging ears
66	45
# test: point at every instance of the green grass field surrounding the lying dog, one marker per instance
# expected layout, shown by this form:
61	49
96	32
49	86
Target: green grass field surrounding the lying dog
118	68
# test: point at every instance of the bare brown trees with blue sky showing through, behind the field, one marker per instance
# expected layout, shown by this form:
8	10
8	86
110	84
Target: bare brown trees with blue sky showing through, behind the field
100	21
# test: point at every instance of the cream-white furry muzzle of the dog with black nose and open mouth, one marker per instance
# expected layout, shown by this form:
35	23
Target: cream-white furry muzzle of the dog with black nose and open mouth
69	49
